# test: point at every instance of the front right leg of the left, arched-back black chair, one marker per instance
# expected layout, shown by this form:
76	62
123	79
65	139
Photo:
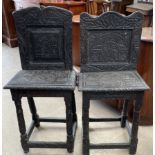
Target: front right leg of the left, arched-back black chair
69	123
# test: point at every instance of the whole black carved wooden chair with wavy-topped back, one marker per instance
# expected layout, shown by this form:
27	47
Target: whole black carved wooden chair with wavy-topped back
109	49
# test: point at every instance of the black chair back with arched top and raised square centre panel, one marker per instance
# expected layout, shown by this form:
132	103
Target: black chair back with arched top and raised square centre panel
44	37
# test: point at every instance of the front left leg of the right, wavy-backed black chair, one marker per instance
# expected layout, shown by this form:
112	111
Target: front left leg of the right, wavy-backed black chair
85	119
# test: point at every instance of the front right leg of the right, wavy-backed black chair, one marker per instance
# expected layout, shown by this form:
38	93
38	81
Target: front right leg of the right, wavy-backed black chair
134	131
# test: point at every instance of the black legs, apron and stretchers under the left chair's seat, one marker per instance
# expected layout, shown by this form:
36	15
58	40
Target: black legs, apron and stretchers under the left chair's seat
71	124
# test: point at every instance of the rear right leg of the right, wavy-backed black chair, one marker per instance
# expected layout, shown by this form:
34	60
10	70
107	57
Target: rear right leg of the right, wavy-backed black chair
124	113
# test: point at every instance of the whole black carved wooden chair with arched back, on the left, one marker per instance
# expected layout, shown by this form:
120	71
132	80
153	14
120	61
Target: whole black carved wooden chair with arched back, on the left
44	37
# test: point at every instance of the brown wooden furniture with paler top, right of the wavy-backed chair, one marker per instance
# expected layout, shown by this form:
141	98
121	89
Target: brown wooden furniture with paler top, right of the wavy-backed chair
145	69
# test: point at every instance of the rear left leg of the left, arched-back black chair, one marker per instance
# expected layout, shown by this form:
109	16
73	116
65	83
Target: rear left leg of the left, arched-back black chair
33	110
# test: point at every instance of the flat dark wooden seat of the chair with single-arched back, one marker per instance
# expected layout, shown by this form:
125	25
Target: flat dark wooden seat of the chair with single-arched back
43	79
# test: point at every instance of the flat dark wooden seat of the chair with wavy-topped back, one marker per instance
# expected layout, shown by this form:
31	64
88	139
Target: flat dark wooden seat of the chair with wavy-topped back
111	81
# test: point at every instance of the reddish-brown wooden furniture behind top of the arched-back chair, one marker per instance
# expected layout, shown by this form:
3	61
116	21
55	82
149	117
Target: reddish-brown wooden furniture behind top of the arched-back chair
76	7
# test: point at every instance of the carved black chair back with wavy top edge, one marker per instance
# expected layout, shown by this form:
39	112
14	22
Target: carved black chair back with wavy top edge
109	42
